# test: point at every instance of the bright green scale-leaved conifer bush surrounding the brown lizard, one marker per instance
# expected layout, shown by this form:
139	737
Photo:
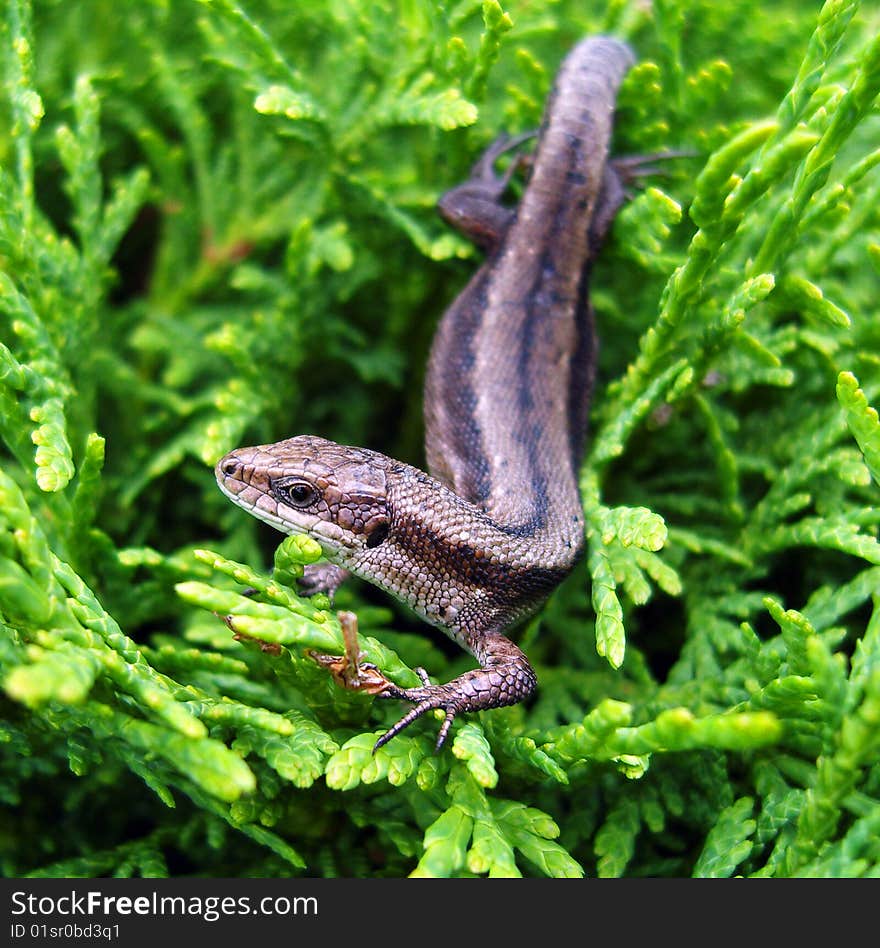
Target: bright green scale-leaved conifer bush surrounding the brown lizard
217	227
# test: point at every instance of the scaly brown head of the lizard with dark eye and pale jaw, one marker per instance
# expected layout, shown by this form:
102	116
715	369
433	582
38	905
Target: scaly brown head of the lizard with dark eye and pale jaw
333	493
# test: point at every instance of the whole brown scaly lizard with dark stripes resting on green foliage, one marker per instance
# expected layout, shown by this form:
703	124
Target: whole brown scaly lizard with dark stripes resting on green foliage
477	544
